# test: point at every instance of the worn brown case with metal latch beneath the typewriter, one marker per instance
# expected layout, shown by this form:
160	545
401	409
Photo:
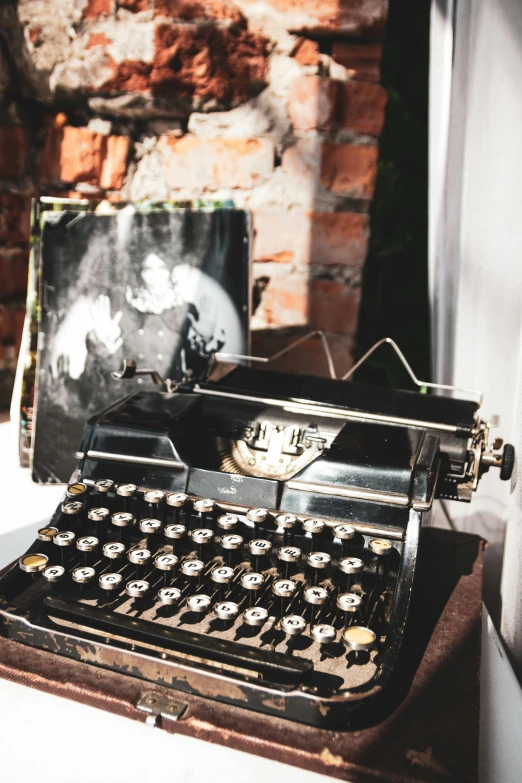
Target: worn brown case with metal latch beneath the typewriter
426	729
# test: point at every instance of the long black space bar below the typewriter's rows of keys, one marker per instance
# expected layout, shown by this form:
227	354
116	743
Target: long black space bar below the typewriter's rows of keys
276	667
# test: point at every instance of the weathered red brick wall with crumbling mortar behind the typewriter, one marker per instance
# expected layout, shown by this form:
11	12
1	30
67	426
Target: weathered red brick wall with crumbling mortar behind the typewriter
275	105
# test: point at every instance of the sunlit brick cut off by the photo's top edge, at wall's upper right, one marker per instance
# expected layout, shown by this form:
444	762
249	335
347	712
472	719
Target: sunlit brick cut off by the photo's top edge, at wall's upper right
350	17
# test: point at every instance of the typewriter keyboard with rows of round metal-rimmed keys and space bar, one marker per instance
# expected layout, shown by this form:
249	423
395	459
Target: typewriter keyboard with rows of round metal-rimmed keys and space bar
258	591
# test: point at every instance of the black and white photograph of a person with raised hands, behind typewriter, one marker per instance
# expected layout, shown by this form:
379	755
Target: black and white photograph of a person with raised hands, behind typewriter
165	288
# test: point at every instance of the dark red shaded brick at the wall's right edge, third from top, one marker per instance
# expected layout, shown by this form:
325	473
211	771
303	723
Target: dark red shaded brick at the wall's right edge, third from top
362	106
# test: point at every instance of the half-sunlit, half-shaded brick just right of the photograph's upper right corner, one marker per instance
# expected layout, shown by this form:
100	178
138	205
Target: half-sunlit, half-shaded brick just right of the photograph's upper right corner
300	237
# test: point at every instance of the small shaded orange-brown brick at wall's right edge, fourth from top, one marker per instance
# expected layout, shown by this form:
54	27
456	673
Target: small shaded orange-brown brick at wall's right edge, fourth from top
349	169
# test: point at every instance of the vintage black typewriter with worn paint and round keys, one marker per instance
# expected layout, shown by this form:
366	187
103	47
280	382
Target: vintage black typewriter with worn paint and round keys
250	538
